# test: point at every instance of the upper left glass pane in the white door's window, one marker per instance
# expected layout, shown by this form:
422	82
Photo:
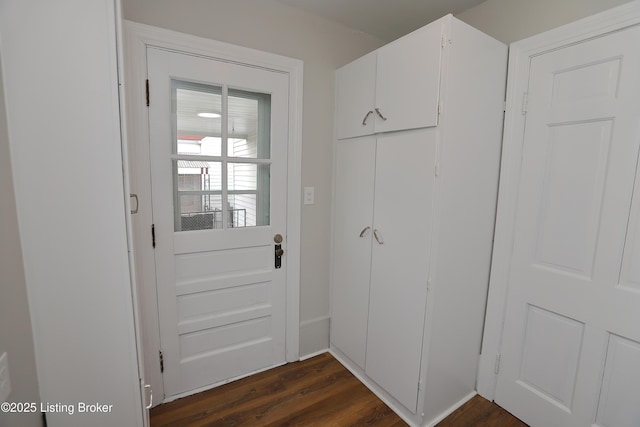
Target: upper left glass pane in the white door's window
197	110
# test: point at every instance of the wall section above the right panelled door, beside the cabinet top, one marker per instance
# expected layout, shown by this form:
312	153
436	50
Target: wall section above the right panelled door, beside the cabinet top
512	20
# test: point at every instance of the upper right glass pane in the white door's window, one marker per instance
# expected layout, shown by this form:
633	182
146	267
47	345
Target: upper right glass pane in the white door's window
249	124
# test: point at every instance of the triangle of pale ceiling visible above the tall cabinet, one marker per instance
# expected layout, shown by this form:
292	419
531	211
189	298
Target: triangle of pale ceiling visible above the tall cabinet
385	19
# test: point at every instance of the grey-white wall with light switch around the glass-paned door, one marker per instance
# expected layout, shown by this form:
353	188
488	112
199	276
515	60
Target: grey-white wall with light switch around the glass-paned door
323	46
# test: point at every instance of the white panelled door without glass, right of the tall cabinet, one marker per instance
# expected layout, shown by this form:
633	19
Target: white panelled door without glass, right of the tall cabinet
571	343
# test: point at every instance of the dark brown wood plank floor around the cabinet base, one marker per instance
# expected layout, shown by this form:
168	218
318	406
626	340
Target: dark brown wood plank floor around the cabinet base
316	392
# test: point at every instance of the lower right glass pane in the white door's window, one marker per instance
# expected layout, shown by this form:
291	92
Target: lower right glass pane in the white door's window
248	196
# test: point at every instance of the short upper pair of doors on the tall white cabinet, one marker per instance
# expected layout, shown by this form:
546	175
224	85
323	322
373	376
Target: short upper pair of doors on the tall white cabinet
393	88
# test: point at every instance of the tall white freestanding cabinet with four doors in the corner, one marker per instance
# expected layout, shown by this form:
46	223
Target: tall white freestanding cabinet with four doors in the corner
413	218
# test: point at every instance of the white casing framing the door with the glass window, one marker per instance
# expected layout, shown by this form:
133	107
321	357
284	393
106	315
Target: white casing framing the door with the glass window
140	38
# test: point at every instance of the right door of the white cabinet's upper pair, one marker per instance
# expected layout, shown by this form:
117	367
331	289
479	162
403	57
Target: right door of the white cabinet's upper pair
408	80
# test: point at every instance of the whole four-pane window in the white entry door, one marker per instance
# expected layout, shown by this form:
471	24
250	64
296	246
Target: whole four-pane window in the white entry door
221	157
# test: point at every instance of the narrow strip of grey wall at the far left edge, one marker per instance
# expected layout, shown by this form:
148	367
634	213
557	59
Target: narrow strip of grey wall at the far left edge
16	338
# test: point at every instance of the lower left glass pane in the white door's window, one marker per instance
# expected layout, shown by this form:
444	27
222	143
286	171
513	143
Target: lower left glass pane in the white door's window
198	199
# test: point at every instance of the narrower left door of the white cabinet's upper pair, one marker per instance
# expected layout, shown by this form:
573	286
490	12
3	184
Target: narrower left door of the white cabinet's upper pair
355	95
